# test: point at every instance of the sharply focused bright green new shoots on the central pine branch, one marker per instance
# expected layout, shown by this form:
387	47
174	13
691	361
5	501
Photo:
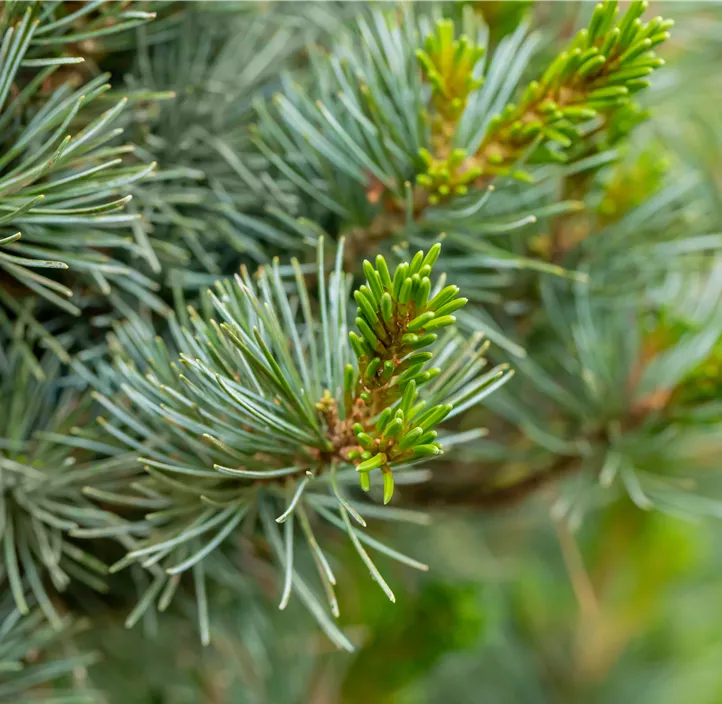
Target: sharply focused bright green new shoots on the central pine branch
398	317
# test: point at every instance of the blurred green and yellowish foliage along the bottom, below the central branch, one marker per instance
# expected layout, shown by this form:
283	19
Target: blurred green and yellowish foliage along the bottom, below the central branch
622	610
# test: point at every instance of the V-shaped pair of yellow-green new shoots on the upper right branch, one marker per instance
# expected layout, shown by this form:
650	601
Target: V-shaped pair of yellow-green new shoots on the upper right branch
593	78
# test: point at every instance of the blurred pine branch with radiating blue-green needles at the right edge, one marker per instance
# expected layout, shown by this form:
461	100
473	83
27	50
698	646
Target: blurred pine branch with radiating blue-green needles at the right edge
608	406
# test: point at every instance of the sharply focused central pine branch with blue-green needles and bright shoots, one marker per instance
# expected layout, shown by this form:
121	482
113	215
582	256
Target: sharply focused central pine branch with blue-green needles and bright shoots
264	414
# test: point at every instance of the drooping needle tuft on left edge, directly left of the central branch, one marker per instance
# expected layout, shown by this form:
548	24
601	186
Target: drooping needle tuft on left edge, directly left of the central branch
45	461
